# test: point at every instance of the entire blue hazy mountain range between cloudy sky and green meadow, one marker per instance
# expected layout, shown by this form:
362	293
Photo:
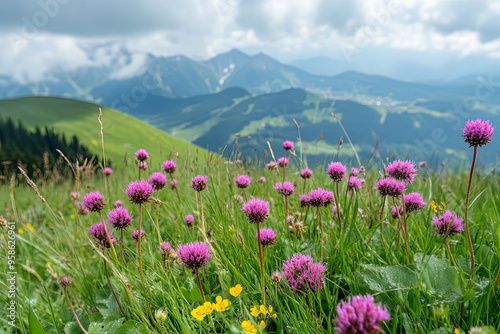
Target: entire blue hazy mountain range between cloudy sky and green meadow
255	99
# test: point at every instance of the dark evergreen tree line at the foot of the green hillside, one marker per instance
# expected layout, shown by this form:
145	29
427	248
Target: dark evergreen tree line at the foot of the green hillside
19	146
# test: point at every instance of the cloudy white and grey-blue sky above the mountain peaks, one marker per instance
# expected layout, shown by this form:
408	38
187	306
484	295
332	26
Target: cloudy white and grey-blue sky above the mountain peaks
374	35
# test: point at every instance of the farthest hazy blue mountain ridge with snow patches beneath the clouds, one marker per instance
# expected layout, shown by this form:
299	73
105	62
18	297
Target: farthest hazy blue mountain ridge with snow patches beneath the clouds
180	76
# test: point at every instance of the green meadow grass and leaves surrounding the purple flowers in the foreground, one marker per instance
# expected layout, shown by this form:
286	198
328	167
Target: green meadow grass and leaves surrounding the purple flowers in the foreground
424	296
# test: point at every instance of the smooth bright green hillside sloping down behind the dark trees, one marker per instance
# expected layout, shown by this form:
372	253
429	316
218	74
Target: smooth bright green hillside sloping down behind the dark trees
123	134
